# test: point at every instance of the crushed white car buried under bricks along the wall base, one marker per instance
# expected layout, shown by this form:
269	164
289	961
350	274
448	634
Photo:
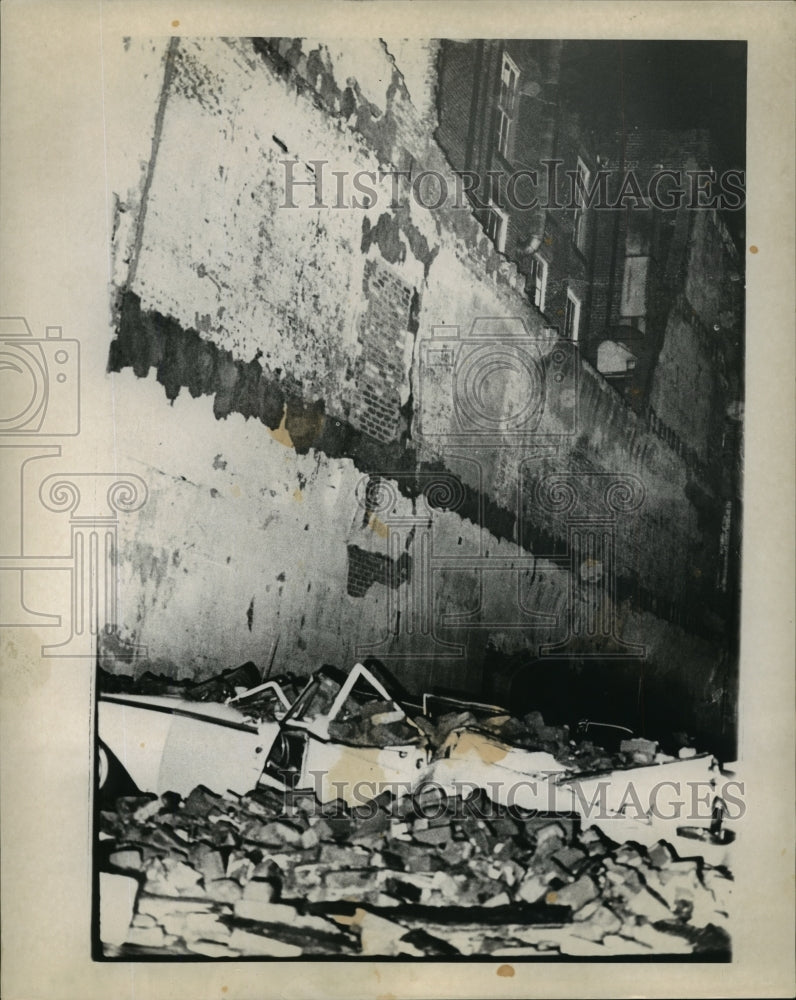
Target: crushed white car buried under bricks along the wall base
352	737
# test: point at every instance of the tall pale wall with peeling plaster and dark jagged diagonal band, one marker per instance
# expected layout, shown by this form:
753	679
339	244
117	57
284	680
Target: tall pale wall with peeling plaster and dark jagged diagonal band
324	477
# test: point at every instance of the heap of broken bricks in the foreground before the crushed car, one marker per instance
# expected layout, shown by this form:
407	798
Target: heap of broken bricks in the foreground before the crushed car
281	875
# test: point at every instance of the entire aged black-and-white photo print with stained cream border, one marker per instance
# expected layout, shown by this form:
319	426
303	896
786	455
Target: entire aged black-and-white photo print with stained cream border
386	529
